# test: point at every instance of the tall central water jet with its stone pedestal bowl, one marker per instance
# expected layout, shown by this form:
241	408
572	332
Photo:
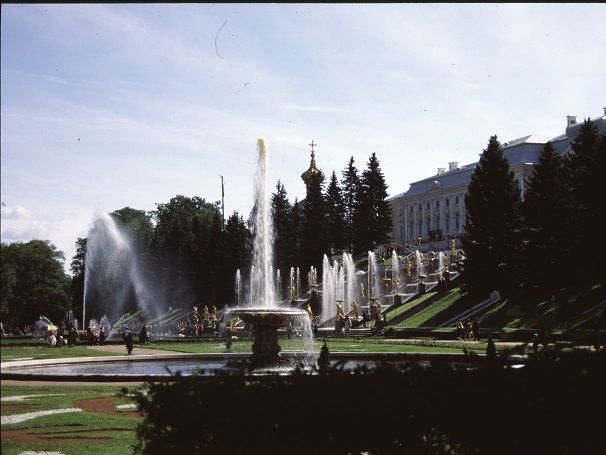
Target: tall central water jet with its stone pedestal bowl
263	313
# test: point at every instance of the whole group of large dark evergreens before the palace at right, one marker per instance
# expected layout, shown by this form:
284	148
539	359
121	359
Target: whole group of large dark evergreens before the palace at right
549	238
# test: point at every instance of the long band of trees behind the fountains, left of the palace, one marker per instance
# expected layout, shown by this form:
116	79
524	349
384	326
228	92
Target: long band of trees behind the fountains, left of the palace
190	254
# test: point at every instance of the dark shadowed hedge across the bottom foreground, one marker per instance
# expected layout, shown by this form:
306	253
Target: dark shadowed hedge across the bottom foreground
553	405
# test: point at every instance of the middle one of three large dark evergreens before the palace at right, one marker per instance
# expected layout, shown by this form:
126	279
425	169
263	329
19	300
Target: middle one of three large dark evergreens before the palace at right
545	209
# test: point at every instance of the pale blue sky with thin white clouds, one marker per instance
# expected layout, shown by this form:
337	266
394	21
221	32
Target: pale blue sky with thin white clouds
105	106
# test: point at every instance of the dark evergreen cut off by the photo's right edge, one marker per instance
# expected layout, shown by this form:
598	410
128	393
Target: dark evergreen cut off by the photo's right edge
585	166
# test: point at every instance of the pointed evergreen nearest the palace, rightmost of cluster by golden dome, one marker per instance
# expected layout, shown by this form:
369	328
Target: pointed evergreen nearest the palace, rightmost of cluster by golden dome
373	217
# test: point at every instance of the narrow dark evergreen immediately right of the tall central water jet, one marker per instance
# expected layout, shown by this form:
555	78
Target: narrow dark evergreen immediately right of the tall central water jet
281	210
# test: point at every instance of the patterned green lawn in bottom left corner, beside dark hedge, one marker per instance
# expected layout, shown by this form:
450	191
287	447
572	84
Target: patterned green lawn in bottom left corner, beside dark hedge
93	433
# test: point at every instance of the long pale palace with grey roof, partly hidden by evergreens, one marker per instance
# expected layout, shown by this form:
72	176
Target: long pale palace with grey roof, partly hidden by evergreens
433	209
